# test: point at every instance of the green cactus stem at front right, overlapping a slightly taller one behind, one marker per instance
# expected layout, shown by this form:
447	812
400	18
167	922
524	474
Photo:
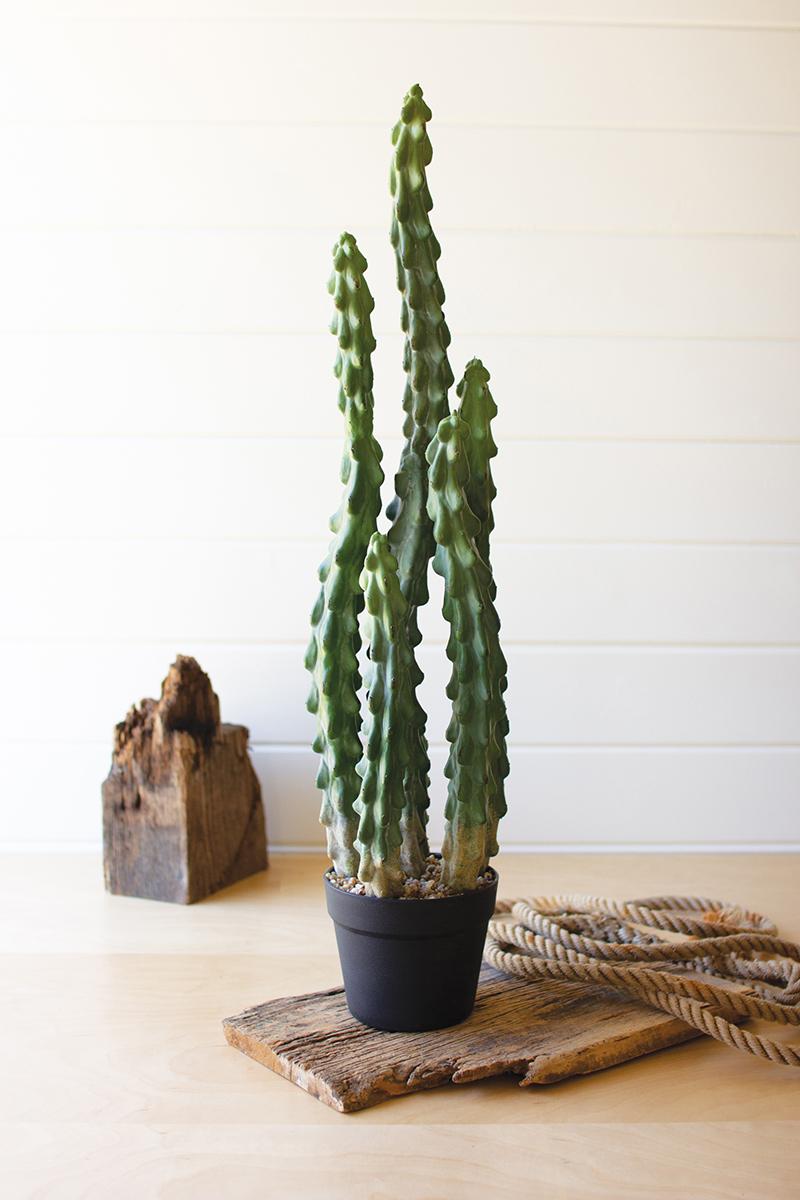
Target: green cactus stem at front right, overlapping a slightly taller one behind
477	764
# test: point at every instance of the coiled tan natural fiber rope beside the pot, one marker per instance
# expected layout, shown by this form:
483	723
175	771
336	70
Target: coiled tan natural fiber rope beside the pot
739	967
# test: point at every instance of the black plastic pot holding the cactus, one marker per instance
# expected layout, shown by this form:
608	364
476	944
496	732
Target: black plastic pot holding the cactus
411	965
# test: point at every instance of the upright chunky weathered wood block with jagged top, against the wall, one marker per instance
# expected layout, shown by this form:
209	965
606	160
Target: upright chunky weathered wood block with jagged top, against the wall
183	812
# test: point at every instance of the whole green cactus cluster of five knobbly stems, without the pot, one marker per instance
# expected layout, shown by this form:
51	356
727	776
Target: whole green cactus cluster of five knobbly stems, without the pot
376	782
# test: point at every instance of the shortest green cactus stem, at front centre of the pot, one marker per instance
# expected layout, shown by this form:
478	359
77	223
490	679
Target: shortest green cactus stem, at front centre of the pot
392	734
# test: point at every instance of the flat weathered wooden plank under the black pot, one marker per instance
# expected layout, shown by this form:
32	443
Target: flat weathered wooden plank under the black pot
543	1031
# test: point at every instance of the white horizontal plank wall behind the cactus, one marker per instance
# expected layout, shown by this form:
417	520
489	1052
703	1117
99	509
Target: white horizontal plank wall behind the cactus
617	191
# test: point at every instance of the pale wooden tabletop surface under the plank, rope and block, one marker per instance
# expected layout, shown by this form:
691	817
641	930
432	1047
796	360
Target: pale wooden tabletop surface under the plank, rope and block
117	1082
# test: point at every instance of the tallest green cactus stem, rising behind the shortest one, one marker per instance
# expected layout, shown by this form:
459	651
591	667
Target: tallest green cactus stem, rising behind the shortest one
425	353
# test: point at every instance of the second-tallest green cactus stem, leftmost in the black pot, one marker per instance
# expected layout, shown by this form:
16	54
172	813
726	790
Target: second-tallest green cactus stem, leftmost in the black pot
335	643
